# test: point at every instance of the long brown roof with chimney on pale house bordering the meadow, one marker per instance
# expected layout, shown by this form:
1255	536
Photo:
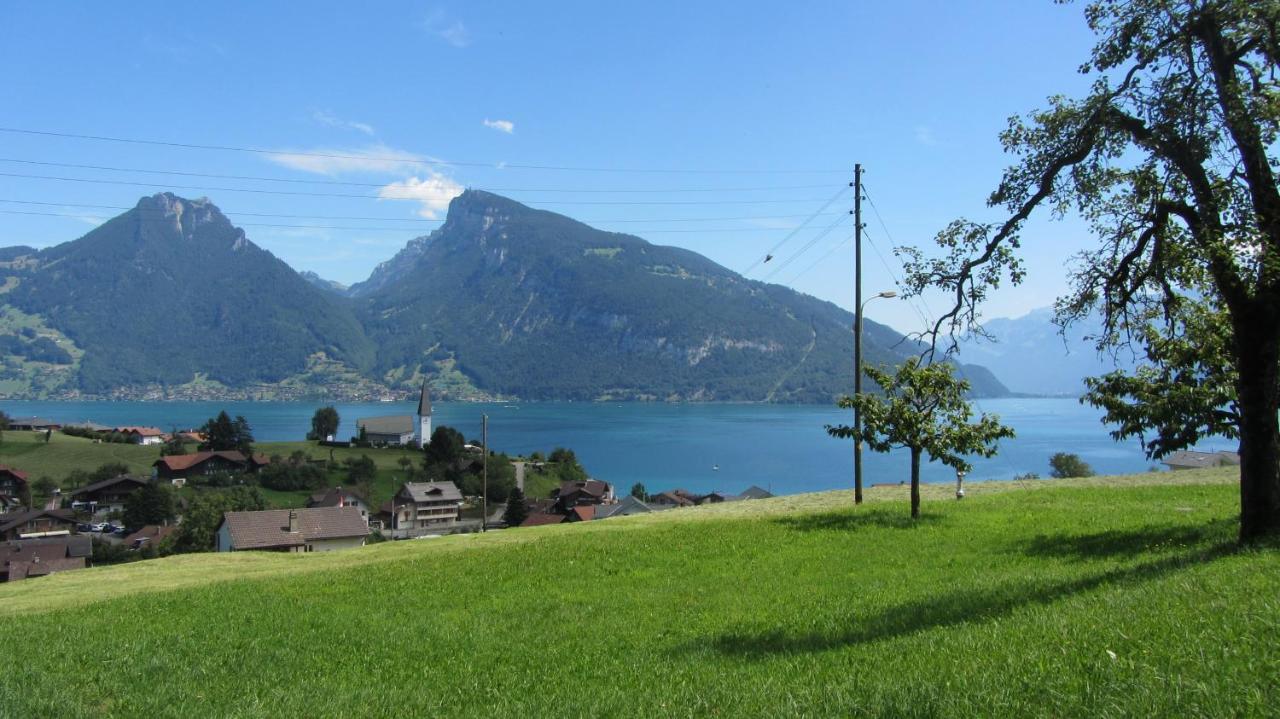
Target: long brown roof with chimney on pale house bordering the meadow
271	529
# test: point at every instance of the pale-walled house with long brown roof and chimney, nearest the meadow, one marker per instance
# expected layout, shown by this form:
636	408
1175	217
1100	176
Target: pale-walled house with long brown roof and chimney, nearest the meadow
323	529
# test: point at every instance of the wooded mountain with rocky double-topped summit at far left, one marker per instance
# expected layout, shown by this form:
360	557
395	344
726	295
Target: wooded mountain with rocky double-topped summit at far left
170	291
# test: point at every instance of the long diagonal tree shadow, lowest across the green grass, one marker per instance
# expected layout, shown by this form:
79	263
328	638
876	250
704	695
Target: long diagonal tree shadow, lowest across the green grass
950	610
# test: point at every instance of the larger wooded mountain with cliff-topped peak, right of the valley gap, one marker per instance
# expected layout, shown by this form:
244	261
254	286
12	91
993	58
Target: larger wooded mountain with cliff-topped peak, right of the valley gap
536	305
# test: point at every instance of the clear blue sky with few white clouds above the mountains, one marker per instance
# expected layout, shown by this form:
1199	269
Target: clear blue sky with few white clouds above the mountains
762	108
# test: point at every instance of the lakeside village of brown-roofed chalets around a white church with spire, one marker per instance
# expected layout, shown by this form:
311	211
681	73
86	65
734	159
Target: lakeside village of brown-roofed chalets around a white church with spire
212	491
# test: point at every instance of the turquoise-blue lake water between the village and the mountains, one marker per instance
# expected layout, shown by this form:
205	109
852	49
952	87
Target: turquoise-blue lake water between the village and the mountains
783	448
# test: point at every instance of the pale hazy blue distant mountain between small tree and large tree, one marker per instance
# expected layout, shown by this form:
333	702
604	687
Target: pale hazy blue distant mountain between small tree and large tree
1032	356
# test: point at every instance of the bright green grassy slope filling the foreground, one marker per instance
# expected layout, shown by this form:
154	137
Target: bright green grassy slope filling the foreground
1117	597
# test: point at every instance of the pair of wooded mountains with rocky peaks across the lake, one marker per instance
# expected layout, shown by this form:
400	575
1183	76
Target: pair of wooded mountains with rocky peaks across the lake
171	301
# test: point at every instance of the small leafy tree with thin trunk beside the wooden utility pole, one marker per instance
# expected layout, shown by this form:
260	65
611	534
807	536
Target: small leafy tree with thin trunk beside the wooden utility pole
922	410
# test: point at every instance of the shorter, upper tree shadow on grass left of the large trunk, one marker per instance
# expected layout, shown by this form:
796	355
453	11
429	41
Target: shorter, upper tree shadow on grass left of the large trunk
1128	543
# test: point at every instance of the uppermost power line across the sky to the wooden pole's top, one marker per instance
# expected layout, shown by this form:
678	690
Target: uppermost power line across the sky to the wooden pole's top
404	161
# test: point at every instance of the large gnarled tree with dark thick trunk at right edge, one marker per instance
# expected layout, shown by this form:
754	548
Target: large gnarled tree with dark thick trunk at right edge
1171	158
